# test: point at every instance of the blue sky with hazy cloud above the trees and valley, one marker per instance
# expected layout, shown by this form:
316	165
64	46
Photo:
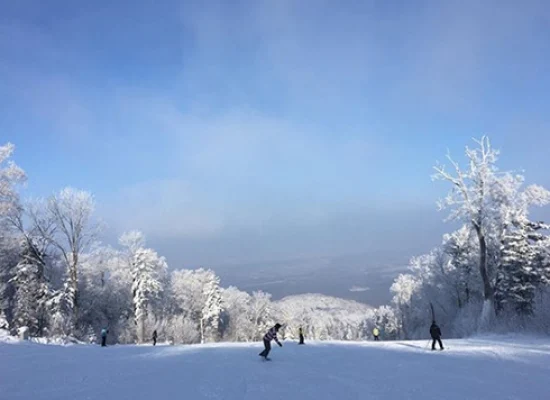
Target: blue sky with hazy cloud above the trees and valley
230	132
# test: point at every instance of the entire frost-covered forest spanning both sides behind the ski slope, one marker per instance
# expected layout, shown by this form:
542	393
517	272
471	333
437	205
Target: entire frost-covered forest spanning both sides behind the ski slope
57	279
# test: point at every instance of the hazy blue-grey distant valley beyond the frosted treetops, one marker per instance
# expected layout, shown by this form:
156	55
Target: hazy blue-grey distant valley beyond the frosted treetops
355	277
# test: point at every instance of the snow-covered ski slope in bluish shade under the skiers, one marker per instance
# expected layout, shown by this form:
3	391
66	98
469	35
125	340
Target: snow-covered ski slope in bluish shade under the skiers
489	368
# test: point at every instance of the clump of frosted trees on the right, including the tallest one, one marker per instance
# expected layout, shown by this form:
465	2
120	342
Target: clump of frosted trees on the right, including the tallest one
494	262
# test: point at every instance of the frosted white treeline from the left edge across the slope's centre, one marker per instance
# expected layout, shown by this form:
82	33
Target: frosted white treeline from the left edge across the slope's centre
57	280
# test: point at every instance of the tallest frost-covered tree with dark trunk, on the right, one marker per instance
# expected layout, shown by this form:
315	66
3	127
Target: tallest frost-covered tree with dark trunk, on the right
489	202
